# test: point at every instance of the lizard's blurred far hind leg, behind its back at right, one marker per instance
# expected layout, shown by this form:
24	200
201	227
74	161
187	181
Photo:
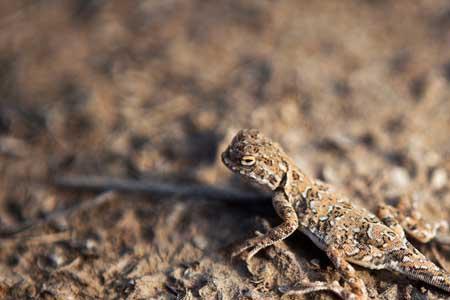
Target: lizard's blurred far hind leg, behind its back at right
405	217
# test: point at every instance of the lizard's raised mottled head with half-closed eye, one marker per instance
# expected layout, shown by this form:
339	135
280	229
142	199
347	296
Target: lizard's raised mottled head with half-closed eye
253	155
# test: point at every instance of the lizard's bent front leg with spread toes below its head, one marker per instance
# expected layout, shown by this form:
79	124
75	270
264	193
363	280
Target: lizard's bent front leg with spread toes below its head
287	212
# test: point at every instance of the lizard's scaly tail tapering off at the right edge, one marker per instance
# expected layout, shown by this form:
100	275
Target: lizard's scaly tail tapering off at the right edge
423	270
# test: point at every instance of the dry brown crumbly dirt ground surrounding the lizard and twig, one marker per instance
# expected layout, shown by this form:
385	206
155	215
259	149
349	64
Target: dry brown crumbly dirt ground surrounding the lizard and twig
355	91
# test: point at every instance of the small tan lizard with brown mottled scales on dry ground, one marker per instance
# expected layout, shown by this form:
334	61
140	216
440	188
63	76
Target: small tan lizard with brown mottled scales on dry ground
348	234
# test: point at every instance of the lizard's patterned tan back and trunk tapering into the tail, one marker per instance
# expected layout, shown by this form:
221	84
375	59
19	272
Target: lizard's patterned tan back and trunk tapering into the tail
365	240
